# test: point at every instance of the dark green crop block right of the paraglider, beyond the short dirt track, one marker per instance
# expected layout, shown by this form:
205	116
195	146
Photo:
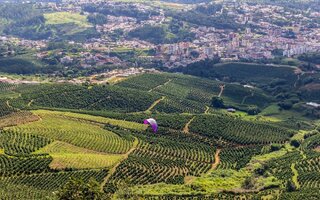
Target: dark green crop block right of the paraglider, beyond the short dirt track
239	131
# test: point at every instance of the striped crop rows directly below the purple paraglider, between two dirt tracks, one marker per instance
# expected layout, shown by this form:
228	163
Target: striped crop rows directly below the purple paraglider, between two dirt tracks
162	158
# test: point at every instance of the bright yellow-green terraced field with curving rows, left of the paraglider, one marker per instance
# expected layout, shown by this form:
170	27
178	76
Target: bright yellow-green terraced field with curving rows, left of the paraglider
35	154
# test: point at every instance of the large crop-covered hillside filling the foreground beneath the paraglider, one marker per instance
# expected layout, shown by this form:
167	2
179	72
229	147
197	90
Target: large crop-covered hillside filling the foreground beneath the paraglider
51	132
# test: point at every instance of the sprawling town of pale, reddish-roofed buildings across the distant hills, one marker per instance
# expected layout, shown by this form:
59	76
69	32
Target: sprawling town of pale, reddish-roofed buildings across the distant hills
265	29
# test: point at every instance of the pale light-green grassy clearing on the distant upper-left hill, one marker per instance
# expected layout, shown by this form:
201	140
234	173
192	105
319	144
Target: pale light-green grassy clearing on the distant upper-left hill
65	18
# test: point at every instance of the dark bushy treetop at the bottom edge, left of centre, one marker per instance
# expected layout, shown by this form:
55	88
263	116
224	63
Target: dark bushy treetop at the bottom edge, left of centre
77	189
